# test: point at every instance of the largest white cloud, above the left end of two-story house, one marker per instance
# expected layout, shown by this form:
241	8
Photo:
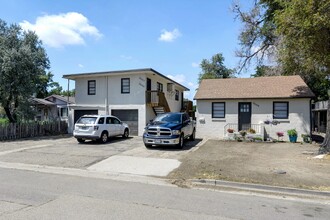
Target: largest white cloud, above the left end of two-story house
62	29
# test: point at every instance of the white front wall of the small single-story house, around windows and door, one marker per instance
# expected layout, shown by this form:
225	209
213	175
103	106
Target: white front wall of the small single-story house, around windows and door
262	109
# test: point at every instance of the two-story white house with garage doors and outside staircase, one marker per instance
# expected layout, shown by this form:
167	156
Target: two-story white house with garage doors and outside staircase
135	96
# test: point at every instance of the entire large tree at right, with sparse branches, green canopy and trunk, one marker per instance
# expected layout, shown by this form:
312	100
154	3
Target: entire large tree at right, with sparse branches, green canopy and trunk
299	32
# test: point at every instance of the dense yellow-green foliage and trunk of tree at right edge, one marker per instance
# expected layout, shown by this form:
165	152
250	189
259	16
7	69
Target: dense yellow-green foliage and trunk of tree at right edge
305	28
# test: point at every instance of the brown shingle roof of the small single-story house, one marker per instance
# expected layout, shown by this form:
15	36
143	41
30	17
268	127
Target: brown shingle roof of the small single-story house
257	88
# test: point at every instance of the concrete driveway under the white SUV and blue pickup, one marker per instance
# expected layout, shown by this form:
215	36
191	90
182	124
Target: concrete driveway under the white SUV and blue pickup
119	155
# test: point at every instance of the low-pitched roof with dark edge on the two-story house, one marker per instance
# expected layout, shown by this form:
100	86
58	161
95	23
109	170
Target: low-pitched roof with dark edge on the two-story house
121	72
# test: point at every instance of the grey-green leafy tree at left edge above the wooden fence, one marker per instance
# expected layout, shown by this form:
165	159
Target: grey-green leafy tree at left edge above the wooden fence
23	64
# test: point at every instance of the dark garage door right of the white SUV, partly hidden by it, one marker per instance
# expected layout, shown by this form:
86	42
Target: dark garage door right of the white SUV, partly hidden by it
130	117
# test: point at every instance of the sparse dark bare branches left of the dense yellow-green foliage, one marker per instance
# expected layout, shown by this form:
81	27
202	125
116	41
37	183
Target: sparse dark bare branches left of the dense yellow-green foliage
258	39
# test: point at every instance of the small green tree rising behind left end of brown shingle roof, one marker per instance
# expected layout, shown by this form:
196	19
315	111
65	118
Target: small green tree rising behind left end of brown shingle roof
214	68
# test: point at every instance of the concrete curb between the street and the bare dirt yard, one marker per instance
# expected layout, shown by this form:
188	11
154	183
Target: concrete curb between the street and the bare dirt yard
261	188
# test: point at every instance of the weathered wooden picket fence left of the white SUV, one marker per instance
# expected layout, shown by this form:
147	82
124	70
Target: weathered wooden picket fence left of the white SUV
32	129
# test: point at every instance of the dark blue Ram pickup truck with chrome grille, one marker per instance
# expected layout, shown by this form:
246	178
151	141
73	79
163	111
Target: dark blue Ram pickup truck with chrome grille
169	129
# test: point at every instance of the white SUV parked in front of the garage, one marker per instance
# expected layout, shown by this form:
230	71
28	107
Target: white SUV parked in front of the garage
99	127
